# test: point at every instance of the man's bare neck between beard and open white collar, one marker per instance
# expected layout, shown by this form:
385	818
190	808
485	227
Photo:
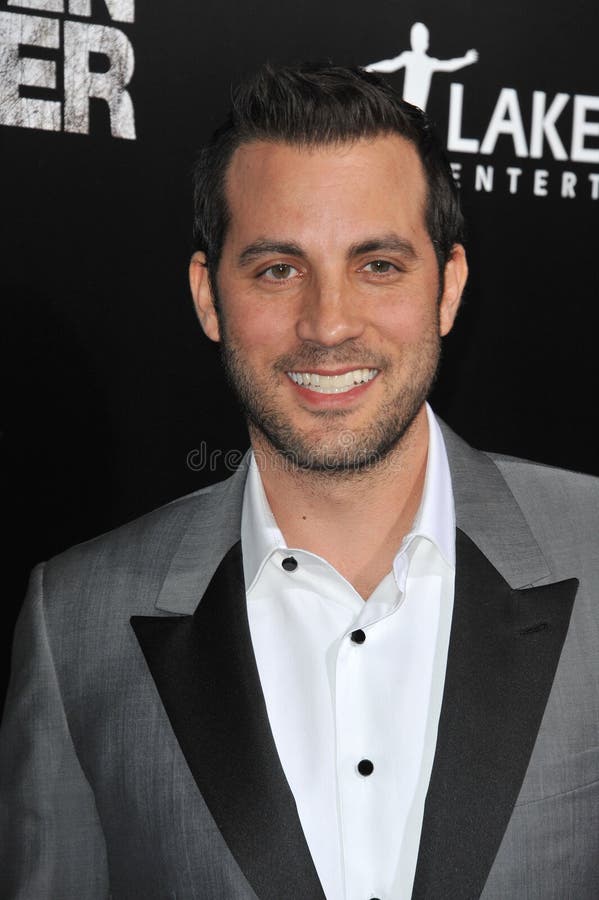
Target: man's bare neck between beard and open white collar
355	520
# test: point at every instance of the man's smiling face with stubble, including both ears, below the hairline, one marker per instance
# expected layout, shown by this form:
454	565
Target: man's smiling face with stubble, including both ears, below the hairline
328	294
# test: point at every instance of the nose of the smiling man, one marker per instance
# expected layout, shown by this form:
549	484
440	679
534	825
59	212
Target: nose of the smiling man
328	315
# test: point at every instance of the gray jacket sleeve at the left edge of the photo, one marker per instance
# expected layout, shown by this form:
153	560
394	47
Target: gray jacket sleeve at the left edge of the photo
51	841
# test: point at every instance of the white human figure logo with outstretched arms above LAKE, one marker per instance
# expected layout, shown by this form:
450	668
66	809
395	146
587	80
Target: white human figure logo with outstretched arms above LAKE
419	66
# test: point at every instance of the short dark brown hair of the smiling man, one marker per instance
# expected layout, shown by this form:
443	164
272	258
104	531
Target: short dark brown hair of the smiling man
311	105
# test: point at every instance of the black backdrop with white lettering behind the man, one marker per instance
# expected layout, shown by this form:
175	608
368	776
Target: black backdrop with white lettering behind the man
113	402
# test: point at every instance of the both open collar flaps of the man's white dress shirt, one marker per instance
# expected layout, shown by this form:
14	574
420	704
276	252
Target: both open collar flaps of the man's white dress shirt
435	519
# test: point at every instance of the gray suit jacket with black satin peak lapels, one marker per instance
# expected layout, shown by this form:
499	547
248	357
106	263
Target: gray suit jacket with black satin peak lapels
136	756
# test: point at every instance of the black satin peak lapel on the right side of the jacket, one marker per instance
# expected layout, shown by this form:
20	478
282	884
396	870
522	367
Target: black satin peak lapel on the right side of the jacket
503	652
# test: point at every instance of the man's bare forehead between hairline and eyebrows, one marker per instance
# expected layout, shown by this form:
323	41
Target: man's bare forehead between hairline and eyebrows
380	180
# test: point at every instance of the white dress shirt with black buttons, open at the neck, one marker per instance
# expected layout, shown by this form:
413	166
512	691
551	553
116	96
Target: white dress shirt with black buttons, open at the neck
339	707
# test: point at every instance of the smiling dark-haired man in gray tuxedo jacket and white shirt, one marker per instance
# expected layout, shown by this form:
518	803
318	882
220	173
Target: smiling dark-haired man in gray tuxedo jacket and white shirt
364	666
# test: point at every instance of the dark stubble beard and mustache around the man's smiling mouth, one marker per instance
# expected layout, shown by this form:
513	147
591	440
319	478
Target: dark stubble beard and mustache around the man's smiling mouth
331	448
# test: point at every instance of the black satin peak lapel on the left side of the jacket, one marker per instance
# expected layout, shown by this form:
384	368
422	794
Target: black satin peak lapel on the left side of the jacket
206	675
